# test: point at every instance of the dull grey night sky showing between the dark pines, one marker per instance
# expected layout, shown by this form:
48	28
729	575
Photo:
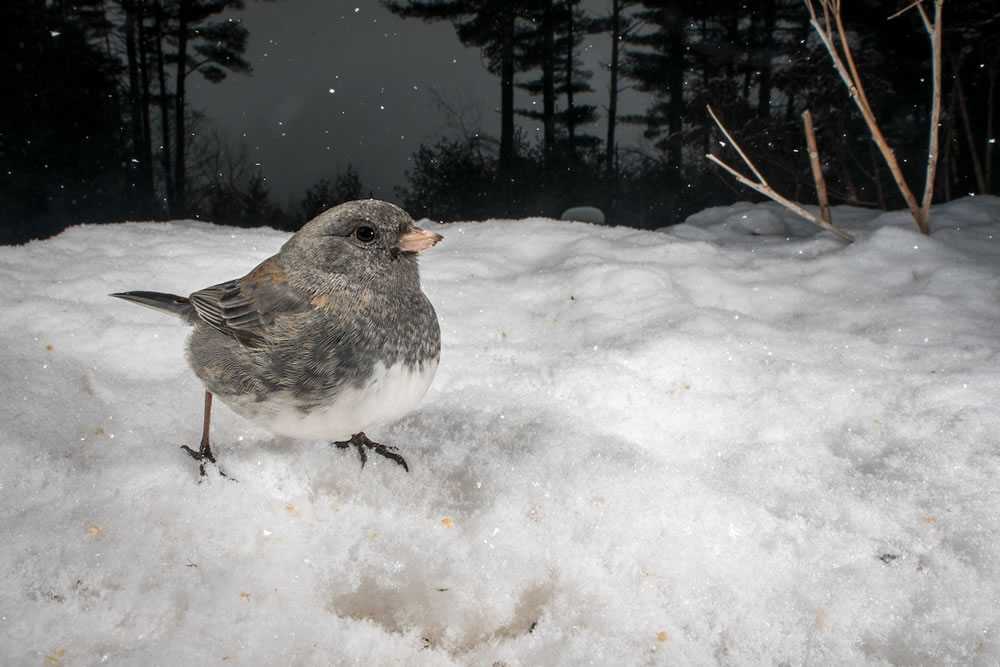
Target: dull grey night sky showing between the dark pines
338	83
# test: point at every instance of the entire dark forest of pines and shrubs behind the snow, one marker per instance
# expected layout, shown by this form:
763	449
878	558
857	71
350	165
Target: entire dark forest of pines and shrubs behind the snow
97	126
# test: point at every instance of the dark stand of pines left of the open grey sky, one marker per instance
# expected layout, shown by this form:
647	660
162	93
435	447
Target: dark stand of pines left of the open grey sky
95	123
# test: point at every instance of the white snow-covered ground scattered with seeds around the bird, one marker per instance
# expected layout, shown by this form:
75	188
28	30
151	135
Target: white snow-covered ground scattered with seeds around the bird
736	441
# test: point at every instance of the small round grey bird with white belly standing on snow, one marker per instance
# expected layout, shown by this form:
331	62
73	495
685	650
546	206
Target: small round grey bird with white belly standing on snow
325	339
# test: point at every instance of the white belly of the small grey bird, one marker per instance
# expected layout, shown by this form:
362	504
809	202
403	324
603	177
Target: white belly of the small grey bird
389	395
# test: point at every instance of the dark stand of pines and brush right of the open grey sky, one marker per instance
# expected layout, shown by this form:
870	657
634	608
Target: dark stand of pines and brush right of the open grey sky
758	63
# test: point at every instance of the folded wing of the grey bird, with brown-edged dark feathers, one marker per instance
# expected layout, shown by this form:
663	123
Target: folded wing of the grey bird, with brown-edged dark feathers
242	308
